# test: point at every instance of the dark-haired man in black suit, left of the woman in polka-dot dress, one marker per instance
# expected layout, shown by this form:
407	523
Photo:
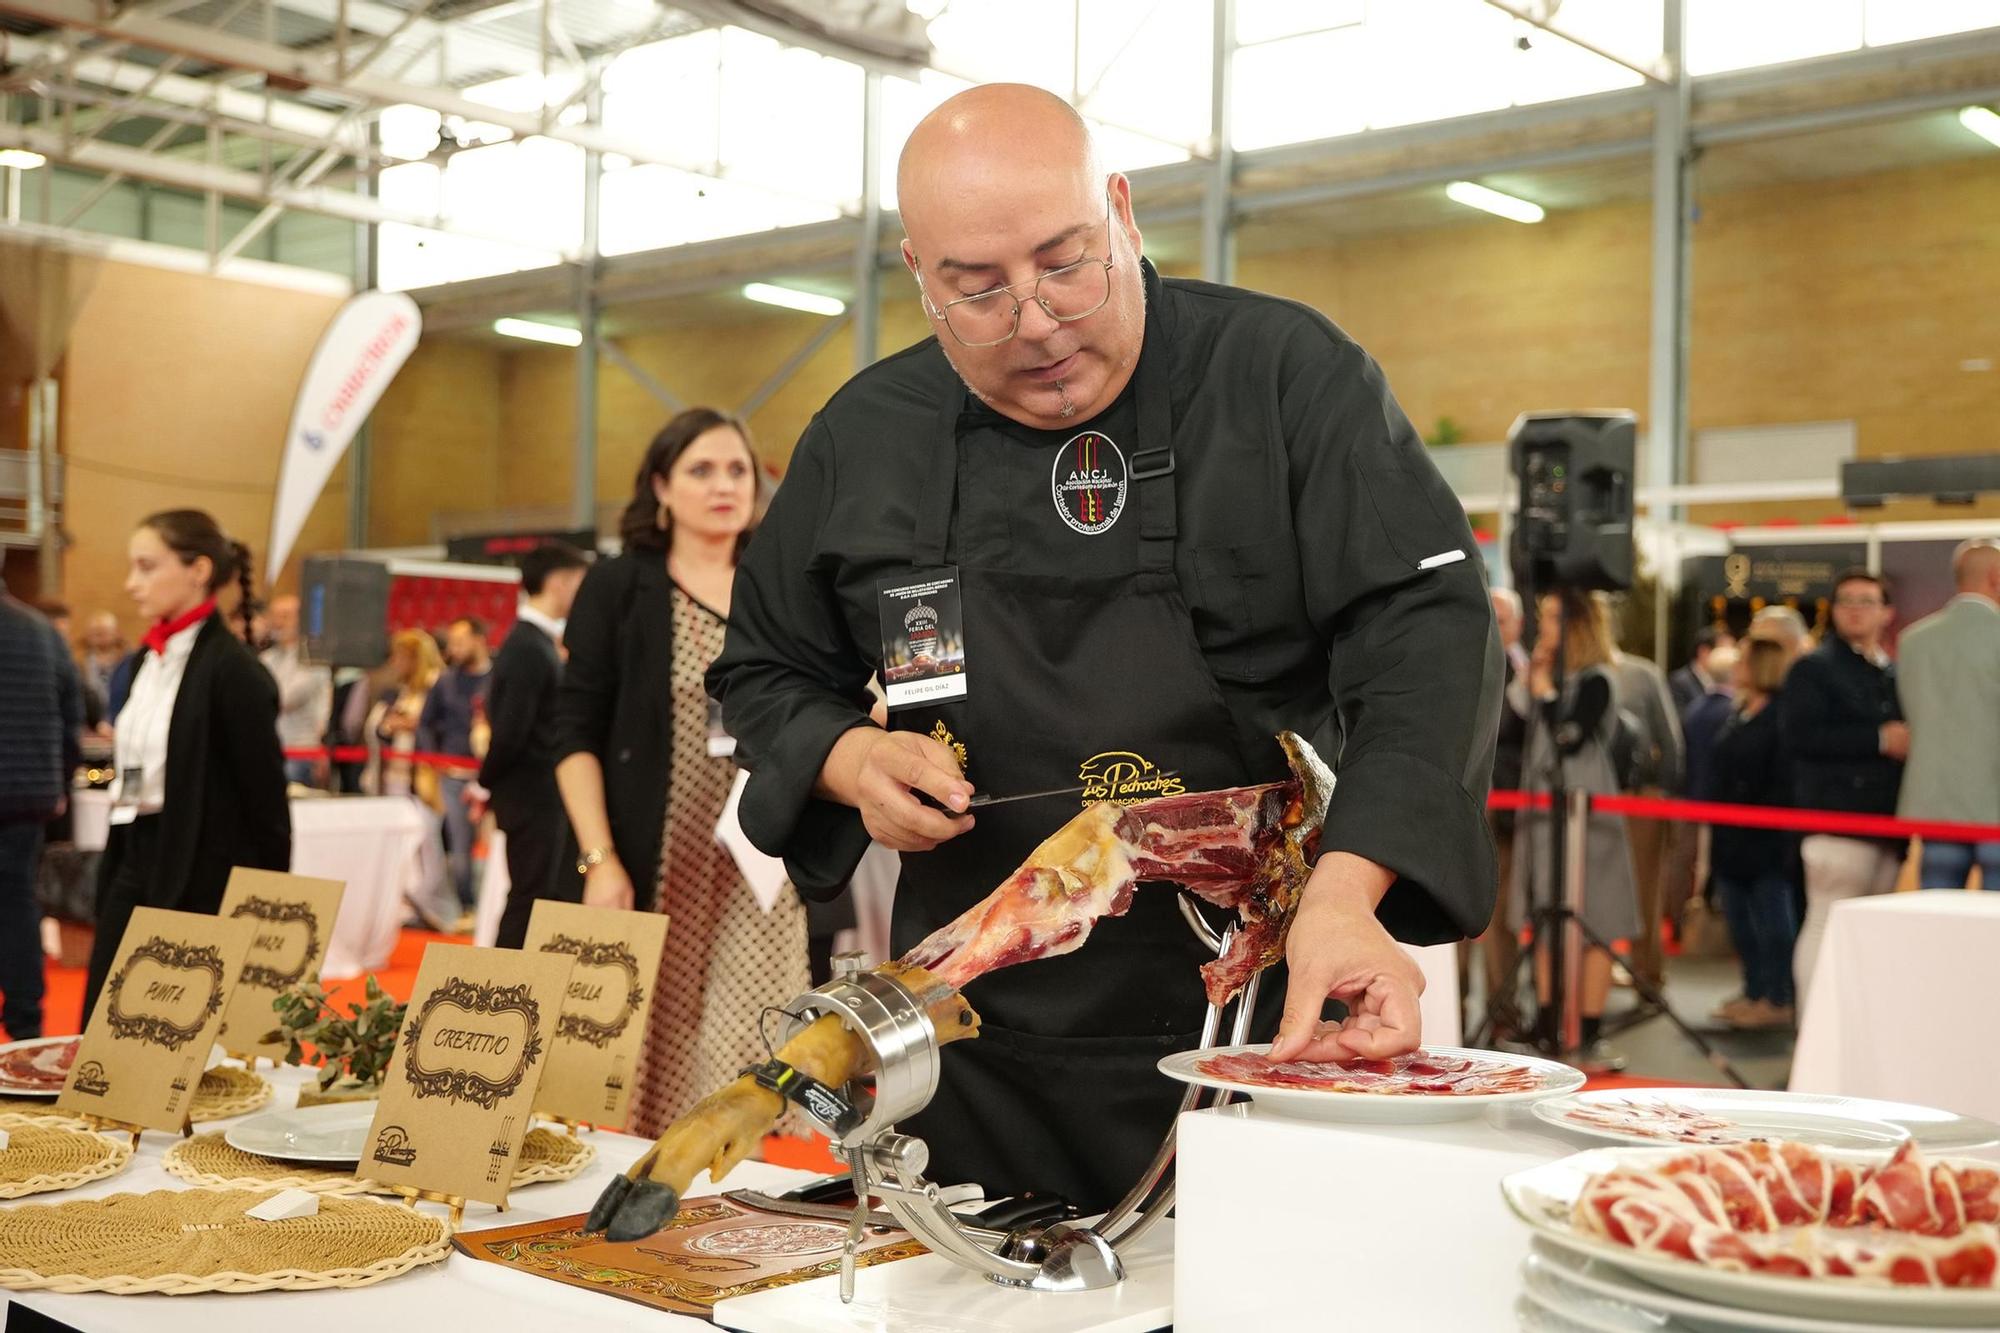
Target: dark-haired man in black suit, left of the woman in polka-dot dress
521	758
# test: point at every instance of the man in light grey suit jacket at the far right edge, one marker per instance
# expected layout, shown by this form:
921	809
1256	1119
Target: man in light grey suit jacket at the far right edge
1949	684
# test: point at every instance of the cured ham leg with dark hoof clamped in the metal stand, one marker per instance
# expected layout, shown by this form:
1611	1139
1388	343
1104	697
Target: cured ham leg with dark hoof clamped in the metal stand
1247	850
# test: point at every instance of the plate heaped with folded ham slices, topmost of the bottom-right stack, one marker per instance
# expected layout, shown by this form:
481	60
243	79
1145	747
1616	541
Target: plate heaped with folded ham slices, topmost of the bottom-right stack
1785	1228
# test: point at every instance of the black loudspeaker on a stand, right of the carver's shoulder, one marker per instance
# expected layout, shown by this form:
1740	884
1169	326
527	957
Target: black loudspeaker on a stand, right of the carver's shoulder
1575	521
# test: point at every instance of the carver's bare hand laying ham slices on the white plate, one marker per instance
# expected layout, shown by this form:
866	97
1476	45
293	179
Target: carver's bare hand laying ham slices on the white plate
1337	948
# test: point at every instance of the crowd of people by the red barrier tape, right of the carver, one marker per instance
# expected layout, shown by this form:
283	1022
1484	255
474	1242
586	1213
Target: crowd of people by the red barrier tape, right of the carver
1777	720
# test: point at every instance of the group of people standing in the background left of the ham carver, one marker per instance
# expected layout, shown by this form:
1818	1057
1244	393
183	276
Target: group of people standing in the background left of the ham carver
589	740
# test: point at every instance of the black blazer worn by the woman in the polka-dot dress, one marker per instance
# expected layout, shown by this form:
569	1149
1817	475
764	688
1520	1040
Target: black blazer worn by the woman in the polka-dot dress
617	702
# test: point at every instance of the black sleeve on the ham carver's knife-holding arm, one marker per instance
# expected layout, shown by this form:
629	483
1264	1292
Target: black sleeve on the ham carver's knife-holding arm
791	680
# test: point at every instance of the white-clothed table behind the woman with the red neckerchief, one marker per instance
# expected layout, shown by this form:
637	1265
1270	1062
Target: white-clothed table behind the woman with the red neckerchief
385	850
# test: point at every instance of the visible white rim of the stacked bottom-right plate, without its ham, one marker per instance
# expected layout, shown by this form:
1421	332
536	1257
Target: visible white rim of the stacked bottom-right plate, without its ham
1545	1198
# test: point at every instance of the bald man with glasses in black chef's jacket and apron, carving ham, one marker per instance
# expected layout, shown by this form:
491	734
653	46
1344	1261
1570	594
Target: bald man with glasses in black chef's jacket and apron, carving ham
1111	531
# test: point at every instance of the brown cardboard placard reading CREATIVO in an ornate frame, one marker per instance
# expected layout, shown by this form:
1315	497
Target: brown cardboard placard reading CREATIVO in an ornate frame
467	1068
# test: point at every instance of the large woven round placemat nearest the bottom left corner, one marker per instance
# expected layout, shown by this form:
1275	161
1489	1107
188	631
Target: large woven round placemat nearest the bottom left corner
185	1242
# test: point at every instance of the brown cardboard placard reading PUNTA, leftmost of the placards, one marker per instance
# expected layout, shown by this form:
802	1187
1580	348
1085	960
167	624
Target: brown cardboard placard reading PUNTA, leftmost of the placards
157	1020
